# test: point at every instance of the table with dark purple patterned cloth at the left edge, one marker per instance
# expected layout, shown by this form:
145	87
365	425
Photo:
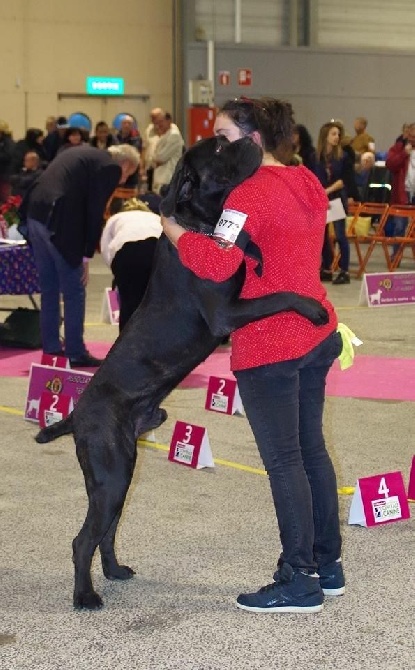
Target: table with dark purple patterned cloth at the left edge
18	274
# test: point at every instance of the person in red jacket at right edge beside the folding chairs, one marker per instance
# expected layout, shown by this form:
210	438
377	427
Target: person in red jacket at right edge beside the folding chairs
400	161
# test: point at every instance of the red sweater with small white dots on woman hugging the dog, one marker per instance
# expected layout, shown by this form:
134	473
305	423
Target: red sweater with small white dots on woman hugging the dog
286	214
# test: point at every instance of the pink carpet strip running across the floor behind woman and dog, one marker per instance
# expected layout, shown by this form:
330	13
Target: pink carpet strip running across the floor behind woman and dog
373	377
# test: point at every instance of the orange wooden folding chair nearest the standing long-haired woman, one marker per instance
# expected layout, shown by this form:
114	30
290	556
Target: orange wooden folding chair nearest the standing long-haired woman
378	214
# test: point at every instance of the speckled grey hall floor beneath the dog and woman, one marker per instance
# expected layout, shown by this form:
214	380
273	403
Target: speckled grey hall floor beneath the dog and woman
198	538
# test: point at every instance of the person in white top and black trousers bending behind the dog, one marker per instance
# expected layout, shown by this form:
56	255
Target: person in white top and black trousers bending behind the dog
128	244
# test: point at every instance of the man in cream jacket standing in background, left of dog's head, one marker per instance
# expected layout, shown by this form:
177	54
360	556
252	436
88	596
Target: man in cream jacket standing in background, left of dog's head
168	151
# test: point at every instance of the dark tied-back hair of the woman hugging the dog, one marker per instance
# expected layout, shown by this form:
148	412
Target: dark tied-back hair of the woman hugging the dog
273	119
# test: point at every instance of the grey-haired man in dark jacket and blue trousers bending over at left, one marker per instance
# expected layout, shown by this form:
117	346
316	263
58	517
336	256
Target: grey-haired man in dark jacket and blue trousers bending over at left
64	211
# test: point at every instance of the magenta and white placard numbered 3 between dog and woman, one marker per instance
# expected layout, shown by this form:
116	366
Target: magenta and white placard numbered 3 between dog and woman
190	446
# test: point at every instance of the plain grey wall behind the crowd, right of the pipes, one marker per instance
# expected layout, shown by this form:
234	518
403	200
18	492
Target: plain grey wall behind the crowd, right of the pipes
321	83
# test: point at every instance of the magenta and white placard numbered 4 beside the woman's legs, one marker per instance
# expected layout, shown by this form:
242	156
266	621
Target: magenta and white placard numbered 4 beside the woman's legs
379	499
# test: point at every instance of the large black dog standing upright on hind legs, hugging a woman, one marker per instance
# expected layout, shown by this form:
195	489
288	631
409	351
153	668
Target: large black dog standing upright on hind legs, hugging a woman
180	321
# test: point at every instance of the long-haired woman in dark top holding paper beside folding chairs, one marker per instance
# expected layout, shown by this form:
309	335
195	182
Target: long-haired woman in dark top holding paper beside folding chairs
335	172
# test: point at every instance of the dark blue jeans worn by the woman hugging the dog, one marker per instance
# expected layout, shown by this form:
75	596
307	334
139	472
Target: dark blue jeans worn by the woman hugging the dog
284	405
